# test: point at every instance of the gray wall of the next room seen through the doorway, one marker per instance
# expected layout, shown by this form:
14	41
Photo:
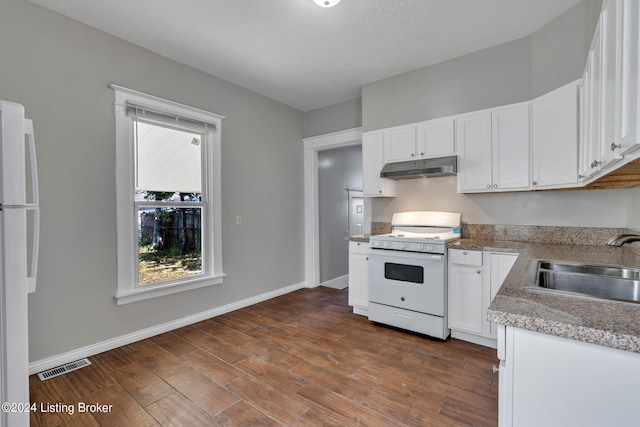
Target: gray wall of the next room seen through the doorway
338	169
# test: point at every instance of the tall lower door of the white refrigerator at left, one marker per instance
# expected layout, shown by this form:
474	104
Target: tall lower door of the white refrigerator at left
14	343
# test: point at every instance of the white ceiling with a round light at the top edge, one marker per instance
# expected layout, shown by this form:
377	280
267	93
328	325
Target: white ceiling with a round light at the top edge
306	56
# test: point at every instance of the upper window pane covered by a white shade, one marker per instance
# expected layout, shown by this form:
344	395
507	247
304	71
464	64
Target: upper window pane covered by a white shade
167	160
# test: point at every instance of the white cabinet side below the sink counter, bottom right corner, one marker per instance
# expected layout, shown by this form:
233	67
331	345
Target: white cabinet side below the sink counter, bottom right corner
557	382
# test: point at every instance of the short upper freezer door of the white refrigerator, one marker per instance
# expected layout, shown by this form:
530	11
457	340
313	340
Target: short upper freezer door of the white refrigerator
12	155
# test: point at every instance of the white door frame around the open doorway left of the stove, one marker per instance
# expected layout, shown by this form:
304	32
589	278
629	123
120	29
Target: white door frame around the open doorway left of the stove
312	146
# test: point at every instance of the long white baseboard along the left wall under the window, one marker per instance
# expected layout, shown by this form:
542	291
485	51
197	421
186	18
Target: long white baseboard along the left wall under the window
93	349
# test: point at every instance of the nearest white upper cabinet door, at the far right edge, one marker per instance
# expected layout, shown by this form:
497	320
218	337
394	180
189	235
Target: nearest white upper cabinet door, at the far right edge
628	90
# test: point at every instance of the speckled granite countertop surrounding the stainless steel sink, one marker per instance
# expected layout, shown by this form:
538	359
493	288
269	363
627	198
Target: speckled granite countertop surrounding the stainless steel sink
608	324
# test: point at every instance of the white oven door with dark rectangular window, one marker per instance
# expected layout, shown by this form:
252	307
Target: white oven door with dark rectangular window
409	280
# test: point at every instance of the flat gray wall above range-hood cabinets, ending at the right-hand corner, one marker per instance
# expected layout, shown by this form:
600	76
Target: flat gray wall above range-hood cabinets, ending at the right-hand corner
491	77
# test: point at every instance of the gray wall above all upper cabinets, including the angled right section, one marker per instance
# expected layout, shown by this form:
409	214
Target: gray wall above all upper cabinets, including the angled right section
504	74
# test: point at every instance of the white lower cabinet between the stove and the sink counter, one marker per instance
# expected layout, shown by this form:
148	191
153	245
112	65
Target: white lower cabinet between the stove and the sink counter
474	280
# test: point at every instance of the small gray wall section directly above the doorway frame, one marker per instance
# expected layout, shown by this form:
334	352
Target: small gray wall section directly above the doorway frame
341	116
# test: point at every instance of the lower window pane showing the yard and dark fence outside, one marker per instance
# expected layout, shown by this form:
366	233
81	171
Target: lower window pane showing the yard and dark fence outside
169	244
